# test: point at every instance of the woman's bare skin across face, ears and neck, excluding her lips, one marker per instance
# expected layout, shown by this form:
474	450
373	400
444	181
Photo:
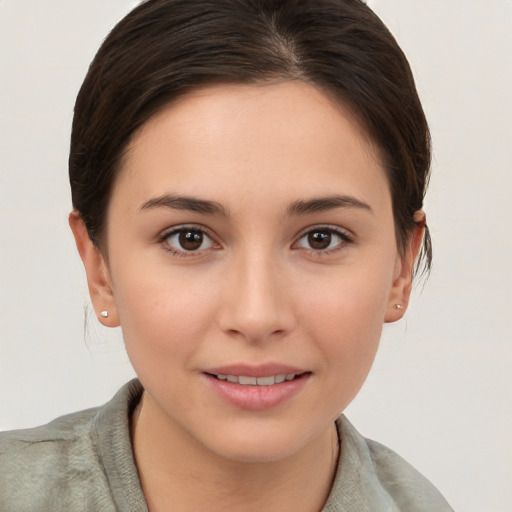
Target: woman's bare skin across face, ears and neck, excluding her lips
256	291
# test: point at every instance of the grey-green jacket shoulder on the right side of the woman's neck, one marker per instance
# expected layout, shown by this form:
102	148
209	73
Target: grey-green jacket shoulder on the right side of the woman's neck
378	479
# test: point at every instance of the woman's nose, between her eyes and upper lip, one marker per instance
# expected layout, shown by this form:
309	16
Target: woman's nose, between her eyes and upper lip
256	305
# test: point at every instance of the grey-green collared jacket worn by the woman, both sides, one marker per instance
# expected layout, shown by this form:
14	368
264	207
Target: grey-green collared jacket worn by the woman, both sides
83	462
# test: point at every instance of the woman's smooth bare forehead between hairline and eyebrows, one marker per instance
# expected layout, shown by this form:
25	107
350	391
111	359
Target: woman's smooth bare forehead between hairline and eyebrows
284	137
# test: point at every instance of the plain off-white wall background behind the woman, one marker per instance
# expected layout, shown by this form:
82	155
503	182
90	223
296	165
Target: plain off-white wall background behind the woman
440	392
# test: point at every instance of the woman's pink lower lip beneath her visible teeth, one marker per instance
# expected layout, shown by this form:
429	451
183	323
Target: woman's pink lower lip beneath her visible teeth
257	398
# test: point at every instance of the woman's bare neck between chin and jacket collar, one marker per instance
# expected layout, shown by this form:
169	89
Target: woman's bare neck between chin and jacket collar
177	470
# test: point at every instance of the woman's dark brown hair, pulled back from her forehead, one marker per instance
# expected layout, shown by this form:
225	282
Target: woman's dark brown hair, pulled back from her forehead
165	48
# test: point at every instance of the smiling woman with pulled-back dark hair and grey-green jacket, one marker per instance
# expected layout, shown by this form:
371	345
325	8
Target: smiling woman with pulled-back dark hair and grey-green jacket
247	180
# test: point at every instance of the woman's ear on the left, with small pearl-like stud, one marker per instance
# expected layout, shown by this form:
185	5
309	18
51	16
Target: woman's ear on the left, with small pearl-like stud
98	274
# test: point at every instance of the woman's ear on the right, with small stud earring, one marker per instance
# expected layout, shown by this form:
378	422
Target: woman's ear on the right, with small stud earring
402	284
